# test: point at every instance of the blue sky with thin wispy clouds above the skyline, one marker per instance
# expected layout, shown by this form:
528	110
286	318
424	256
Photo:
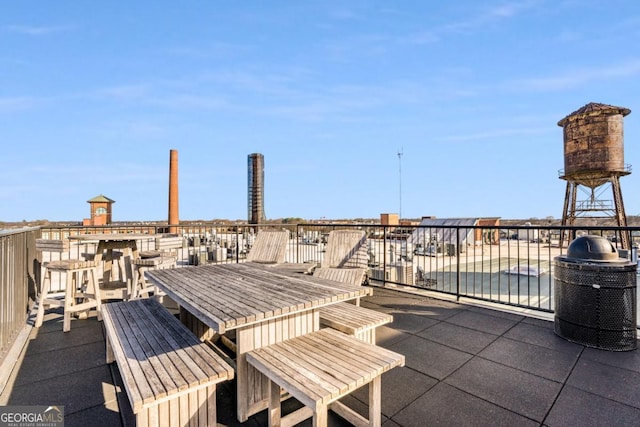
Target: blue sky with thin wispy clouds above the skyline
94	95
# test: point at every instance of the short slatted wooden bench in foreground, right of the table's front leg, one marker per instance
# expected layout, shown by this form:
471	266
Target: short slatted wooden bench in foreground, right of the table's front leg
318	369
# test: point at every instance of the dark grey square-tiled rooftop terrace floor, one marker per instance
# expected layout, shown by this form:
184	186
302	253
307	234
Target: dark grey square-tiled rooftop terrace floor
465	365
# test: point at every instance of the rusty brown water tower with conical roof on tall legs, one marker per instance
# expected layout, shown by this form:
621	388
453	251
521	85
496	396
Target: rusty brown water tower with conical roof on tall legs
594	160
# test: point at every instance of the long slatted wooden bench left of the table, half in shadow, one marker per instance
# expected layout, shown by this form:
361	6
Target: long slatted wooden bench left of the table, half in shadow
169	375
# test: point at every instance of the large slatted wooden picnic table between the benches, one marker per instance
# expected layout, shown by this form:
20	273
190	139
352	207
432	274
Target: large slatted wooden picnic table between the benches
263	307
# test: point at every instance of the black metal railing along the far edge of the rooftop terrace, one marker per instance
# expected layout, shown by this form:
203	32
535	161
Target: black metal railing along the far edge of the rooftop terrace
506	265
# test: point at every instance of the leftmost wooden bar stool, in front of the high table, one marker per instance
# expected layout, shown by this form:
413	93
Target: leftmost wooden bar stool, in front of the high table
81	291
